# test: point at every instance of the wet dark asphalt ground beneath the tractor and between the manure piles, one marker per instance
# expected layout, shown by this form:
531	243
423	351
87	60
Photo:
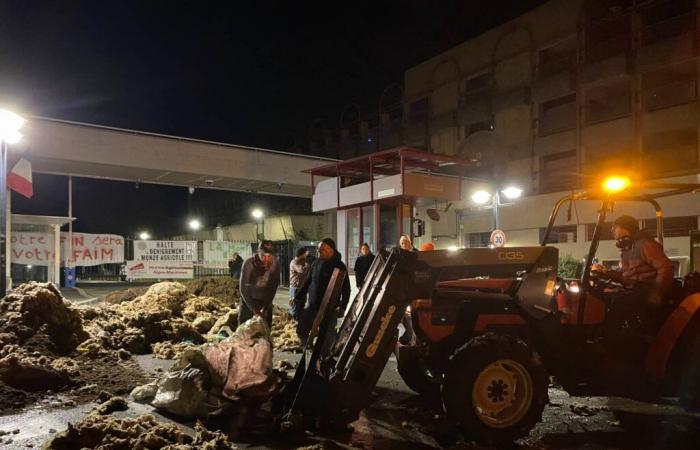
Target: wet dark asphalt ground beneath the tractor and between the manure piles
399	419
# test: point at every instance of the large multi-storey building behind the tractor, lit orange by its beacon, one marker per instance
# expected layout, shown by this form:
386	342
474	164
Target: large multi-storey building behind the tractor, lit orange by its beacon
550	101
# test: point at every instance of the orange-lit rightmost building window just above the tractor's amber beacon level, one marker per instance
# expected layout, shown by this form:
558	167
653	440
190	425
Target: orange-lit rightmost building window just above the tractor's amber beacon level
669	151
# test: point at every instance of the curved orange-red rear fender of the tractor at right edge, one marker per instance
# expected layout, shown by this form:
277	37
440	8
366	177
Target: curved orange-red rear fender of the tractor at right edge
665	342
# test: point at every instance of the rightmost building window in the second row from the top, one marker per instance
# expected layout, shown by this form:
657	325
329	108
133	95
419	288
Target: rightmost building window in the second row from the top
670	86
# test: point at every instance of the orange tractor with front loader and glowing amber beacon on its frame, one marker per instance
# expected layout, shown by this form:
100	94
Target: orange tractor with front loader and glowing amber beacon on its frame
490	325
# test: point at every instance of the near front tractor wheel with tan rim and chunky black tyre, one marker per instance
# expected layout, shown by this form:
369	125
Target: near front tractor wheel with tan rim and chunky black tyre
495	389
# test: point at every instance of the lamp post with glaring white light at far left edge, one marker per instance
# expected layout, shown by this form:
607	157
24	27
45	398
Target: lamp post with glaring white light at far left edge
10	124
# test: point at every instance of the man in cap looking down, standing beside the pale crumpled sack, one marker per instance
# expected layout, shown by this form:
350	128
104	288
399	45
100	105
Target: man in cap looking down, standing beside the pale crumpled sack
260	277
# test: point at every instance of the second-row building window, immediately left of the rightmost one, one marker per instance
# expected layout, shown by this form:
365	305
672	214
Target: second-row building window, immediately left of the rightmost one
608	101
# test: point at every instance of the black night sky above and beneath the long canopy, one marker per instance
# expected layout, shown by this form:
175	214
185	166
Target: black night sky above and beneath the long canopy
250	73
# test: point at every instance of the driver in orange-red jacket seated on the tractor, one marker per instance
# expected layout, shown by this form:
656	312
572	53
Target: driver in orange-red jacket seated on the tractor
644	267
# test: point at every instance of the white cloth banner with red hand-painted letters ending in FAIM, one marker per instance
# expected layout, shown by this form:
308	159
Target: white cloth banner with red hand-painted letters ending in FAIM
88	249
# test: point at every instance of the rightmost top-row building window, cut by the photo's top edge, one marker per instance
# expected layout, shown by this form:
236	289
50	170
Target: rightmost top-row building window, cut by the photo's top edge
667	19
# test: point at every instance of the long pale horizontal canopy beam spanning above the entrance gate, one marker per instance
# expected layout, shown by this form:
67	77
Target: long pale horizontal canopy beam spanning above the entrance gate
94	151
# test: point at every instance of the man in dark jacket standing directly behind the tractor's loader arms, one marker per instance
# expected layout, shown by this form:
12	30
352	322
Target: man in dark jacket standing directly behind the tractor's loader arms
316	283
